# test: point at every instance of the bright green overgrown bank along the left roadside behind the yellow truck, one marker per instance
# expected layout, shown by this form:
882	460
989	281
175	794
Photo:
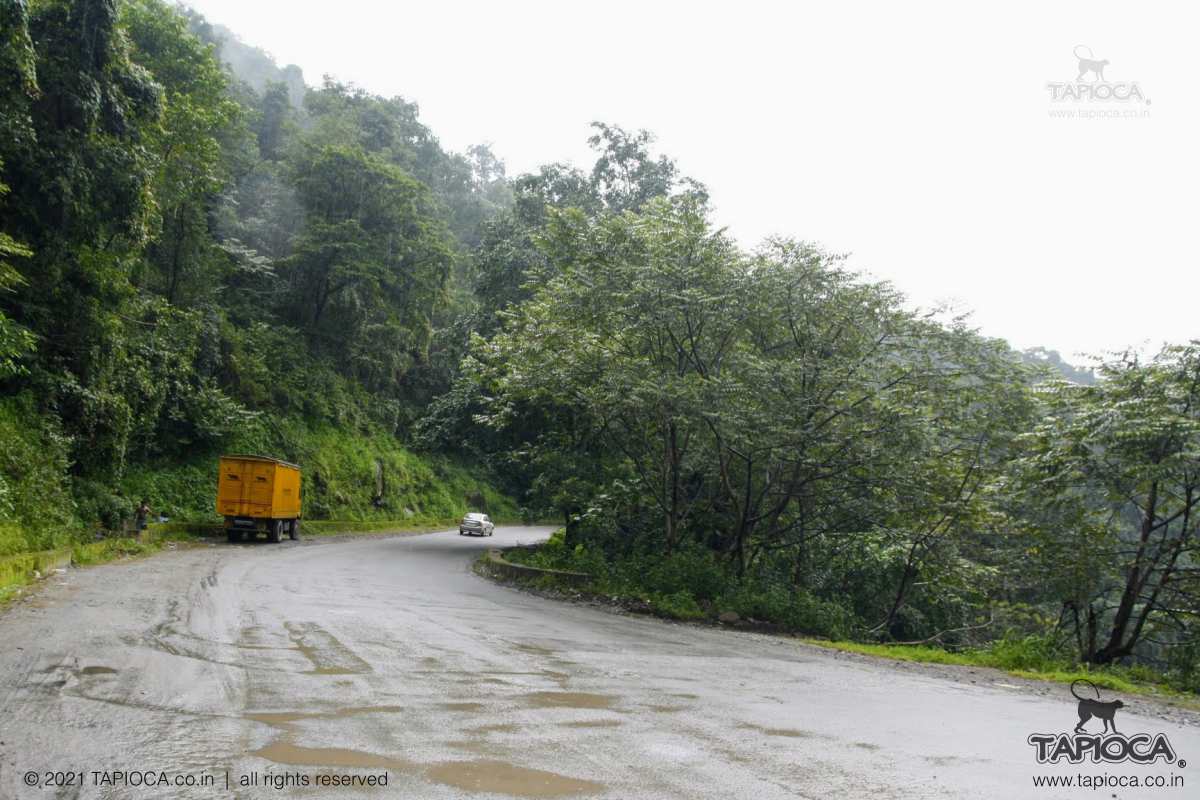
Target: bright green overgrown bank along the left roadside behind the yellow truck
363	480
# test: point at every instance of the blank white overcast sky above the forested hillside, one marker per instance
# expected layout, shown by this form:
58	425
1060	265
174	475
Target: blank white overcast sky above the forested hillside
916	137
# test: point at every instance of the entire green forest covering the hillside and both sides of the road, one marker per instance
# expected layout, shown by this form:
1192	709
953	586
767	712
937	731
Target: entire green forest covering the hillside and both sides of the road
199	252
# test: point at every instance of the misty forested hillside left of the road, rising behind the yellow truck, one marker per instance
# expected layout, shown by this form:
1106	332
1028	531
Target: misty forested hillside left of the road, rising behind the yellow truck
224	266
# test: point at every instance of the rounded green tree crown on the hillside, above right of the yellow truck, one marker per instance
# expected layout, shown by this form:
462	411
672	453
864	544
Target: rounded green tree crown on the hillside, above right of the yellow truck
370	266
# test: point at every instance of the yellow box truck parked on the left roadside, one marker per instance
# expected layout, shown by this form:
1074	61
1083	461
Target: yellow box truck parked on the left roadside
256	494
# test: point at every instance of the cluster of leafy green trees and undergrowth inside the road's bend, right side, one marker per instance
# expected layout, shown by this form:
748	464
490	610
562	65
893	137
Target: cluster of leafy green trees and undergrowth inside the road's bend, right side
772	432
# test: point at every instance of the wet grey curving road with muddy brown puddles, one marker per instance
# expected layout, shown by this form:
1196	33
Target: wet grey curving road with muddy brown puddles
391	658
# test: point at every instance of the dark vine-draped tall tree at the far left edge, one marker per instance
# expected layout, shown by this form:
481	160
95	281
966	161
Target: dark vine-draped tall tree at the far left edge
81	201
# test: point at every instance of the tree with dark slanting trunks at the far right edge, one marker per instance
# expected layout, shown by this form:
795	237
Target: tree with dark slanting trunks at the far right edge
1118	467
